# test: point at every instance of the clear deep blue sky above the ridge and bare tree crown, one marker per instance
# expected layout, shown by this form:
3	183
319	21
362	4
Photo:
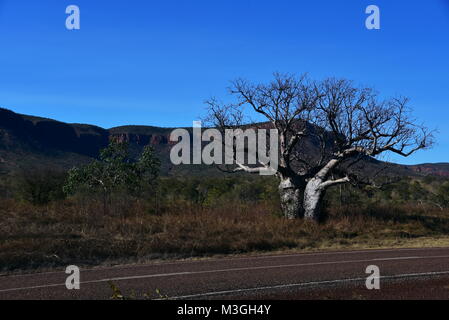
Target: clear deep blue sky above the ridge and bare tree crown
155	62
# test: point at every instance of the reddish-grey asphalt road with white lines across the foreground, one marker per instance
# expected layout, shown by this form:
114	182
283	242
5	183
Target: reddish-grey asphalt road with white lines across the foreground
404	274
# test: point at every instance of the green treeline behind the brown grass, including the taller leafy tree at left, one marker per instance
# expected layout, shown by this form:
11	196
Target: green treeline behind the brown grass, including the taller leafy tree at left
115	175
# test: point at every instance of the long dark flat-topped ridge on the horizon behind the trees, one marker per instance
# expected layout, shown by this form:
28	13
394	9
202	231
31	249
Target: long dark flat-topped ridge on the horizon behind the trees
33	143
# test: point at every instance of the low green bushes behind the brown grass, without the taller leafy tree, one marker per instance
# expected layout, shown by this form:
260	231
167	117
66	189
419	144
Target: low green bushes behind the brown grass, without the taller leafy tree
43	187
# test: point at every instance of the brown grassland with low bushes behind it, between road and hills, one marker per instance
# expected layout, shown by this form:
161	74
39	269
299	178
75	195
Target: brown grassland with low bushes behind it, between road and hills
191	217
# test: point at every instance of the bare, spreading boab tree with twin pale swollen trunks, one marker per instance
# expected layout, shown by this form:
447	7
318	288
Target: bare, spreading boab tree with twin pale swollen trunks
343	122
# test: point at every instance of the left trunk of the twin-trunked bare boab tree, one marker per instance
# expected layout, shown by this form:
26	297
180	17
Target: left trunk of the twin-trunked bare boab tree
291	196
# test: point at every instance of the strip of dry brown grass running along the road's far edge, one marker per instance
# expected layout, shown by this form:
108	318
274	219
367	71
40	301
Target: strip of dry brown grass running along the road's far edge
76	232
